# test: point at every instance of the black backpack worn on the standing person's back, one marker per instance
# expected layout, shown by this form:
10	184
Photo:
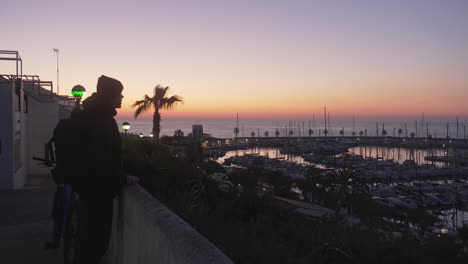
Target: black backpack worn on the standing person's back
67	144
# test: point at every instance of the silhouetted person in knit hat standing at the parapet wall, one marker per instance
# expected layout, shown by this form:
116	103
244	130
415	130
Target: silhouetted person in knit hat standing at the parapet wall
103	177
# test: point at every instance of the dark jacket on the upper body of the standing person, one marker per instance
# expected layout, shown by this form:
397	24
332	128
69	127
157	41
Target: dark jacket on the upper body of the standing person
102	149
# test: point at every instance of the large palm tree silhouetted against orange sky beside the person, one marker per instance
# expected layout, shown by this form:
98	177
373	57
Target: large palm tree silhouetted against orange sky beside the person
158	102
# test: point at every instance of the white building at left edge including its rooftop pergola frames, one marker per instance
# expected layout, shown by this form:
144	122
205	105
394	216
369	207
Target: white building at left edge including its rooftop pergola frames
28	115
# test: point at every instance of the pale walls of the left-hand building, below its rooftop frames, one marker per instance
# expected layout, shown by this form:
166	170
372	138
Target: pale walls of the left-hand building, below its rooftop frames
23	135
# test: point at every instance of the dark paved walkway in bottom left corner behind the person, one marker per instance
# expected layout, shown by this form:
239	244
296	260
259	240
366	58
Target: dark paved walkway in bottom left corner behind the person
25	225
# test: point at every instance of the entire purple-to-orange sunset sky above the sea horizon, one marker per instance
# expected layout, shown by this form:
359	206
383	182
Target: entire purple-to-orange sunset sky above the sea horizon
258	58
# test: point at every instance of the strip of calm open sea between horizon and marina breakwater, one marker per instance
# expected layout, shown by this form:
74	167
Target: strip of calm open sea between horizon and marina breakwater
224	127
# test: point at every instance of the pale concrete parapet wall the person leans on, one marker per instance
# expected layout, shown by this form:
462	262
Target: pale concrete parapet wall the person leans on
145	231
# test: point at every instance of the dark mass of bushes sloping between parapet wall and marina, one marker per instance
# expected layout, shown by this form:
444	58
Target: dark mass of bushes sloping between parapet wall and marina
250	229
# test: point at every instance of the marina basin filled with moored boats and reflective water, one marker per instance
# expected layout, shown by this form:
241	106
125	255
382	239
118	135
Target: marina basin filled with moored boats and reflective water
396	176
